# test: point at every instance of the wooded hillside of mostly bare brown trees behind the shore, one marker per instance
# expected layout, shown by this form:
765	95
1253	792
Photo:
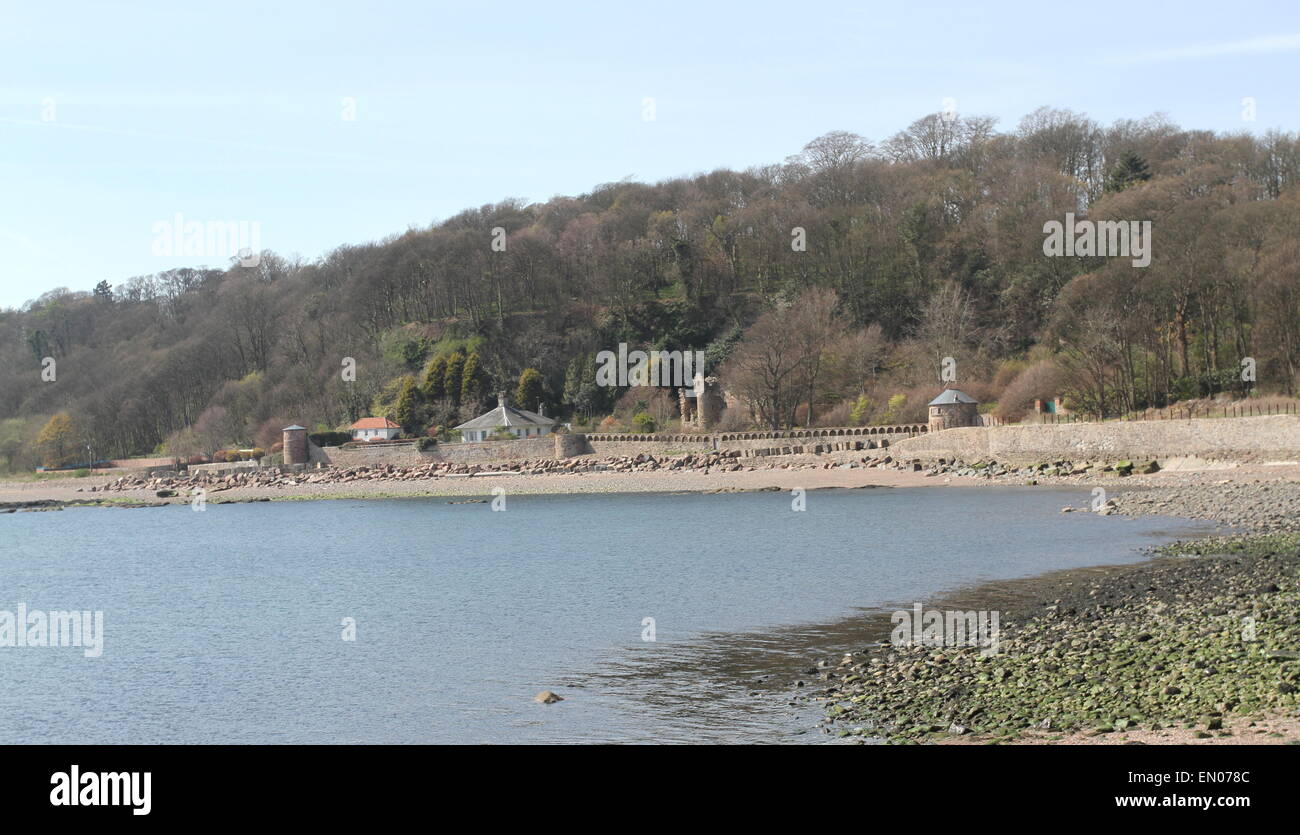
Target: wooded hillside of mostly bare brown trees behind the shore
922	246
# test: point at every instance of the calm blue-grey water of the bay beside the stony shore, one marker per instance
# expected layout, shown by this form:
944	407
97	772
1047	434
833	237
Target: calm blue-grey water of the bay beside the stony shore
226	625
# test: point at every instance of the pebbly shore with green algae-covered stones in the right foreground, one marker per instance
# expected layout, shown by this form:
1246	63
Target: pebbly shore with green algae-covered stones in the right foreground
1202	644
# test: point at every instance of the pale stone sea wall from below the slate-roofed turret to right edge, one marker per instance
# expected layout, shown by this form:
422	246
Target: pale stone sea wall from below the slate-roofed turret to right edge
1229	439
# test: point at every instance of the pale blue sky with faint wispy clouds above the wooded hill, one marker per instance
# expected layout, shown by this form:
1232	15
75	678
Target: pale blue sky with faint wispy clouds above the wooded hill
323	124
